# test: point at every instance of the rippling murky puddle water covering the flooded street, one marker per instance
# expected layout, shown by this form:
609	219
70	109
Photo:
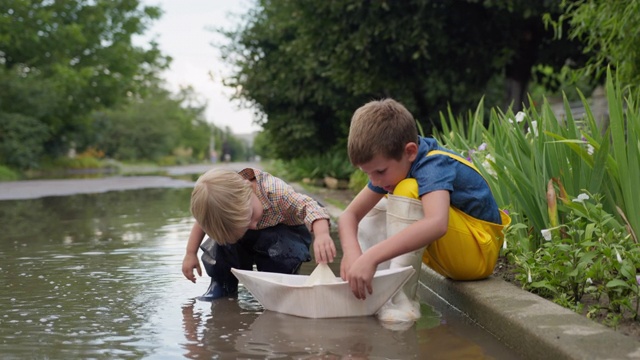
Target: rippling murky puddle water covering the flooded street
98	276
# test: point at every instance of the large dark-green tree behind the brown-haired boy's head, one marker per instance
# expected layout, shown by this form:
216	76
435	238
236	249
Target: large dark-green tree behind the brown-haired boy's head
307	65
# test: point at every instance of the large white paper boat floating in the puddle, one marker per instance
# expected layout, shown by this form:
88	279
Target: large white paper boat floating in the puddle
289	294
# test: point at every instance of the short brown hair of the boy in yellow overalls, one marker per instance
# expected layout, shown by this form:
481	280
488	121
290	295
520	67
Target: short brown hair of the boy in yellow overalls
380	127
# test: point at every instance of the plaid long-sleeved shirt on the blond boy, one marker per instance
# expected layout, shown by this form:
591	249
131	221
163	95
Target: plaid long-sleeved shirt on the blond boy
281	203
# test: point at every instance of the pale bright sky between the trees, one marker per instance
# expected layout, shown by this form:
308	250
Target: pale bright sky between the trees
183	32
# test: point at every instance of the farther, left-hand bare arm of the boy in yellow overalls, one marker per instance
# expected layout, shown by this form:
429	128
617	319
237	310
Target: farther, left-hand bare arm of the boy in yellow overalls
348	226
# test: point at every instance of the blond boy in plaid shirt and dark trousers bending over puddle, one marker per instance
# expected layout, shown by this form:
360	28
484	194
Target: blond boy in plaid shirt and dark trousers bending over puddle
256	218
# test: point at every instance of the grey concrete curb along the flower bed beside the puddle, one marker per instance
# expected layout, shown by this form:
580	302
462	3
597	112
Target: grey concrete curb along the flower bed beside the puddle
532	326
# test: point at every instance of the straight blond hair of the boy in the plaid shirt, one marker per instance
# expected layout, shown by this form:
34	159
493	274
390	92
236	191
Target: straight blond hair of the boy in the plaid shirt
220	203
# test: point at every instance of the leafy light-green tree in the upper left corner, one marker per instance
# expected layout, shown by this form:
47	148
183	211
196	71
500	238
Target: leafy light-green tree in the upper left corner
81	51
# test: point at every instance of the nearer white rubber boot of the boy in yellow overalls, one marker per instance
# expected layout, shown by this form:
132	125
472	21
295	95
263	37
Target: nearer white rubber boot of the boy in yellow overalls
404	305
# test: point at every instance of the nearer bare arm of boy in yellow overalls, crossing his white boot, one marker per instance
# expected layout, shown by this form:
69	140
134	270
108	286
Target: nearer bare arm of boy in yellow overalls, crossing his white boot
423	232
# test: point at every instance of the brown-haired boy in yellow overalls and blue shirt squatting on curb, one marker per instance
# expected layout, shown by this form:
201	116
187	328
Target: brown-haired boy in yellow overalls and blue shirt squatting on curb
423	203
